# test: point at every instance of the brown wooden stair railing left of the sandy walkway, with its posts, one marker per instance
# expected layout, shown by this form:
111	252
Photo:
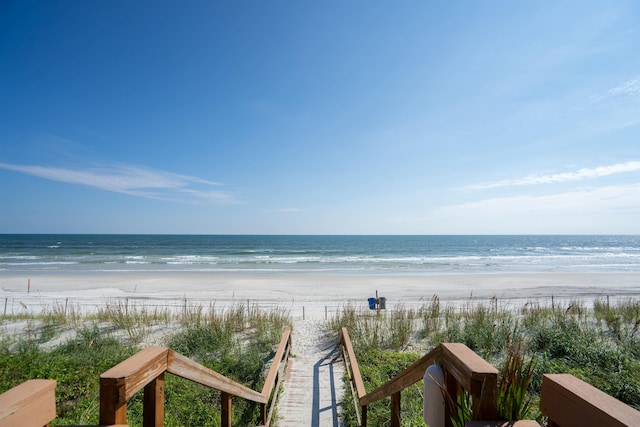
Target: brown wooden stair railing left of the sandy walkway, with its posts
145	370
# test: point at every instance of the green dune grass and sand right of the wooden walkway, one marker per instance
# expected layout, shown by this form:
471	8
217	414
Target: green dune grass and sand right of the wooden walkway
600	345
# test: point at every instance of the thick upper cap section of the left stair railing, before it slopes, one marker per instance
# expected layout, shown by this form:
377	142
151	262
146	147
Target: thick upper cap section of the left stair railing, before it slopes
133	374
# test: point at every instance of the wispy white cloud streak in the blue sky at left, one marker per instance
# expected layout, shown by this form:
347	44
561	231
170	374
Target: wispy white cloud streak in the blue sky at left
133	180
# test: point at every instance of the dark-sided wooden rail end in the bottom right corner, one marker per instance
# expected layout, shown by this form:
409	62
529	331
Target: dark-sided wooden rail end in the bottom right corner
571	402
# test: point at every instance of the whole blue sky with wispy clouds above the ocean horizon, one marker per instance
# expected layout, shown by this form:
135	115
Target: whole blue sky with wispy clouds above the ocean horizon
332	117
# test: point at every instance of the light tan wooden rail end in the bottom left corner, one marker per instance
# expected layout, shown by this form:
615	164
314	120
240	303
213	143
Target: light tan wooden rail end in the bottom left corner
32	403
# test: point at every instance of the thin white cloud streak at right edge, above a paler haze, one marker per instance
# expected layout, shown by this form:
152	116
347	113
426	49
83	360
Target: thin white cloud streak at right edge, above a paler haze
580	174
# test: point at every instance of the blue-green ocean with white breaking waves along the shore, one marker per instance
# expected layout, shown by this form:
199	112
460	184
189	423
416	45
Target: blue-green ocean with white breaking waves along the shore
48	253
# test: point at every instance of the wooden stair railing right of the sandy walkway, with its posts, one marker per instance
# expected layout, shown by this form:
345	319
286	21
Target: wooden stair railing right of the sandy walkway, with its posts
463	370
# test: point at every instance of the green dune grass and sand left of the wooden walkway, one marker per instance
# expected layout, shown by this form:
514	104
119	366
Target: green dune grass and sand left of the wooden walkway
237	342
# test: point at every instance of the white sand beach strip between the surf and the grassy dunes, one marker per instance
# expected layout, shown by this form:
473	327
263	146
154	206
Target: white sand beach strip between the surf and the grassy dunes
304	295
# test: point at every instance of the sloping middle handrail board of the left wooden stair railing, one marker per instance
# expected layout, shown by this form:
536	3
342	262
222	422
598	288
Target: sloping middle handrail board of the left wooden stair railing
184	367
